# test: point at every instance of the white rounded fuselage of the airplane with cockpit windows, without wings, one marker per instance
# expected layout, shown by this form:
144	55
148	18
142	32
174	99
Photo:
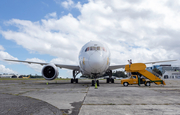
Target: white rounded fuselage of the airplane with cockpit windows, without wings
94	58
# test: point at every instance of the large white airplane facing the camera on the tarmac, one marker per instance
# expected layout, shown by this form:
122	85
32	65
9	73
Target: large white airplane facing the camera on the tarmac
94	61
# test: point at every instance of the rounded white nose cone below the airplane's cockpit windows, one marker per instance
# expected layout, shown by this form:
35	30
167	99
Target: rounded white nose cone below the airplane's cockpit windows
96	61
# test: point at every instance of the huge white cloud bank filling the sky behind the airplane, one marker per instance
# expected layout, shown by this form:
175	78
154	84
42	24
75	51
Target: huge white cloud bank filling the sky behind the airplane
140	30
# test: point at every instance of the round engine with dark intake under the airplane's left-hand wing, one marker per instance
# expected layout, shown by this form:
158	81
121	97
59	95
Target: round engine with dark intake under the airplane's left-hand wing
50	72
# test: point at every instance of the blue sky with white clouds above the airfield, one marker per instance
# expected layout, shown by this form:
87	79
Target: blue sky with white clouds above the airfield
55	30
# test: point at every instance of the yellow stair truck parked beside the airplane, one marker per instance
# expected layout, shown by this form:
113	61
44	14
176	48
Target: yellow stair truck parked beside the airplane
137	70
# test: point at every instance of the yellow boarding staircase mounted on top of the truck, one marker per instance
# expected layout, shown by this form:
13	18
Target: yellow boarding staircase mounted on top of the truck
141	69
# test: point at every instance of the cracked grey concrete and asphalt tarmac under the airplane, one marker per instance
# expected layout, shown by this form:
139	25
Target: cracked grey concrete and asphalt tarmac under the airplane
36	97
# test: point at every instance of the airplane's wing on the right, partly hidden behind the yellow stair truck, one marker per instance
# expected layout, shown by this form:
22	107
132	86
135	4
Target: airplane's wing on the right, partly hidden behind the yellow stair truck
123	66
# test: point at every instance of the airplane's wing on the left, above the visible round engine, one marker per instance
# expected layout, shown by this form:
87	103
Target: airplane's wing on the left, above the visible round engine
72	67
